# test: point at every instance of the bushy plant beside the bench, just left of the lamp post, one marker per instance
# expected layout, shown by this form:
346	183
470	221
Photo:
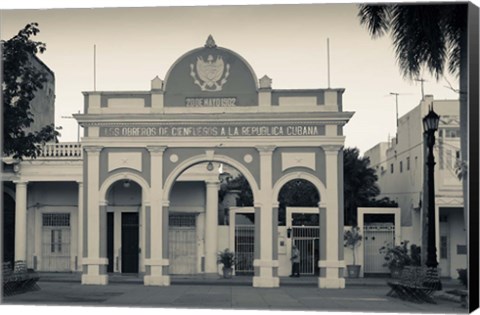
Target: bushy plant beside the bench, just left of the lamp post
397	257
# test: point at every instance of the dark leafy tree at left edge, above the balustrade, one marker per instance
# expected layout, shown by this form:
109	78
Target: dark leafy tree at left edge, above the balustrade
21	79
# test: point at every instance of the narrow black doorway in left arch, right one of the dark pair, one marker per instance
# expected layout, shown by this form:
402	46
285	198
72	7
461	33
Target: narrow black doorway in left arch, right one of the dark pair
130	242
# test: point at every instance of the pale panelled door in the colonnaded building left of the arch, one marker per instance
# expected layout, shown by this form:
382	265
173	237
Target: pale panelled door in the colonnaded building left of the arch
56	242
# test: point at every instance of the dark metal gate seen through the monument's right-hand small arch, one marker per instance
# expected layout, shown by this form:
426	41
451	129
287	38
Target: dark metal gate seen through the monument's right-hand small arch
307	240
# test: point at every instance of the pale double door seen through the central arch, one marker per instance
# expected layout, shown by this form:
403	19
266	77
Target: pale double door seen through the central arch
182	250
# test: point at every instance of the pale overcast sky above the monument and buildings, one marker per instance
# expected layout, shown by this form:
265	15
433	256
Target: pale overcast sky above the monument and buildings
286	42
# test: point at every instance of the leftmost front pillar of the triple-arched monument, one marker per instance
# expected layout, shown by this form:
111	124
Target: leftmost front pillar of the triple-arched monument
94	261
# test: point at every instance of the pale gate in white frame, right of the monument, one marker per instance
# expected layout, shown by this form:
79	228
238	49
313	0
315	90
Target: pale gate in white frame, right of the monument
376	236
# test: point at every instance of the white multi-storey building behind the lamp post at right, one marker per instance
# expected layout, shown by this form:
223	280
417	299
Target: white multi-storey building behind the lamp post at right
400	166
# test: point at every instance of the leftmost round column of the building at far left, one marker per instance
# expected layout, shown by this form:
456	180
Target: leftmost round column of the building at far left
21	221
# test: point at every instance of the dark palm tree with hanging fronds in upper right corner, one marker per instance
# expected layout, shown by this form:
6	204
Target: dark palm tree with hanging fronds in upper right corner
428	36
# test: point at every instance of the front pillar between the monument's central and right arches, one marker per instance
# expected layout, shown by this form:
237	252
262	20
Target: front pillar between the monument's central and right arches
265	276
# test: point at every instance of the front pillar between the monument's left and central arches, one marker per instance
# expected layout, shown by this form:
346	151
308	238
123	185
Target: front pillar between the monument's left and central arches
155	224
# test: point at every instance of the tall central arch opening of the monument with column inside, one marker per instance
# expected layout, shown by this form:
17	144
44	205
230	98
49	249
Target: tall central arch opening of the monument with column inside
199	214
